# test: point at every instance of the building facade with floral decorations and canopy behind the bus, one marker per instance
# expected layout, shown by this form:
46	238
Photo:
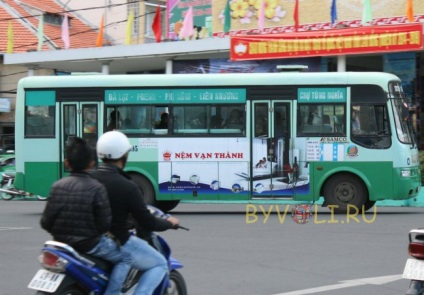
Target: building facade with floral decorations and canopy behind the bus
206	49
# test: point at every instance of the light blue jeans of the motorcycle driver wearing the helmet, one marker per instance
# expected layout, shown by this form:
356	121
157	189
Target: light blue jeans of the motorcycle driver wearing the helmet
149	260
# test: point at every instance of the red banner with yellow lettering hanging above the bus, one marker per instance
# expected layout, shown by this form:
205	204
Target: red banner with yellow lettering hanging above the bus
361	40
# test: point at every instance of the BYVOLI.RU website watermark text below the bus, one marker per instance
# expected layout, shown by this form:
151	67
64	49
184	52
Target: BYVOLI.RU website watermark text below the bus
302	214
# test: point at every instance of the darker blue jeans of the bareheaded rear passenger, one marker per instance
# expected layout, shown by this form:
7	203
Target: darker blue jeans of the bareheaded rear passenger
108	250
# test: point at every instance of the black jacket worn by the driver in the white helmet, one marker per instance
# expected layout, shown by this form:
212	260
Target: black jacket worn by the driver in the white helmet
126	199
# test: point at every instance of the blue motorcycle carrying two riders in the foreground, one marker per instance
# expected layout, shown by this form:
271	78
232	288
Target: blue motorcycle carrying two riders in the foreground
67	272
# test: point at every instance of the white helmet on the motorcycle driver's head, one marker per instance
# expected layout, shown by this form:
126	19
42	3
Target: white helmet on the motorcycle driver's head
113	145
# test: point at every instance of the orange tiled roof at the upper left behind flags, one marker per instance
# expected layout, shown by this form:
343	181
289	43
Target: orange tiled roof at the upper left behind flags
26	39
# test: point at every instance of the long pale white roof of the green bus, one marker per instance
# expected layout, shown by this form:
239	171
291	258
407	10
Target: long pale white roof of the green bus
189	80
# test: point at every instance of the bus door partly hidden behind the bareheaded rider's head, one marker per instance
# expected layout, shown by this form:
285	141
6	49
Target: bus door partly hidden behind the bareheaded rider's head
78	119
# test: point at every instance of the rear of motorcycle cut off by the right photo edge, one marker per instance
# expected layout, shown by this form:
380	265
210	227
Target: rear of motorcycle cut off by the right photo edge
414	268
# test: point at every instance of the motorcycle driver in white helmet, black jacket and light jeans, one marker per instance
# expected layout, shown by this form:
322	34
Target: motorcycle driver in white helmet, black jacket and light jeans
126	199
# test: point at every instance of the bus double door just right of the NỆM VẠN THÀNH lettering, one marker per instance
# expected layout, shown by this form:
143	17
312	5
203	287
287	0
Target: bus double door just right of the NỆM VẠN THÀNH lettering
272	166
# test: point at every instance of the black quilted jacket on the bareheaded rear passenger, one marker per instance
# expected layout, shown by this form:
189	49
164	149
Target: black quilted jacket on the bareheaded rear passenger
77	211
